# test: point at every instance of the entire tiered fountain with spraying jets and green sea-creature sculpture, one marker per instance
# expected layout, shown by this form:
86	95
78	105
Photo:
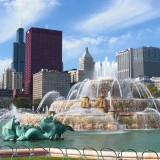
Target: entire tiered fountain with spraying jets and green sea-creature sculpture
102	104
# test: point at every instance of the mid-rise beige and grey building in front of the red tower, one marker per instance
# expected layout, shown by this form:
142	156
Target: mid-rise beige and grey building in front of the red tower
45	81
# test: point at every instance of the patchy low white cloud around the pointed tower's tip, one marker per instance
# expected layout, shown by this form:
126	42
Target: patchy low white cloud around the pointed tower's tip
74	47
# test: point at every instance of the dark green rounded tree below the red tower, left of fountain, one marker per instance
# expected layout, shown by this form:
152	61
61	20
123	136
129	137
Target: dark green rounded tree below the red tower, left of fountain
22	102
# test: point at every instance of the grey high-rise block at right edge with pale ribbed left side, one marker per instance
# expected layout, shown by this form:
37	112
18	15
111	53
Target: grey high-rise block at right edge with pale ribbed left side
135	62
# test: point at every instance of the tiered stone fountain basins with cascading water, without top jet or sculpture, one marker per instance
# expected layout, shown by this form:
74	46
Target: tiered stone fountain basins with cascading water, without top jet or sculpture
126	105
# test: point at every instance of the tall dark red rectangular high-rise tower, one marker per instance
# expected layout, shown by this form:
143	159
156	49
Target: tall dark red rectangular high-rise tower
43	50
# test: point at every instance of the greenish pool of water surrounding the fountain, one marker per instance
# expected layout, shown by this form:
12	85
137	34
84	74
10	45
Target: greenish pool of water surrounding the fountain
139	140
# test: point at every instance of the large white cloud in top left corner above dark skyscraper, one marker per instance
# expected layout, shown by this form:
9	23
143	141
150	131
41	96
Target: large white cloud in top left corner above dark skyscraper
27	11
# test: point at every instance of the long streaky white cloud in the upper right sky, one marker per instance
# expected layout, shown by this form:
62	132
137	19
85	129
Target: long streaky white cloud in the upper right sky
121	14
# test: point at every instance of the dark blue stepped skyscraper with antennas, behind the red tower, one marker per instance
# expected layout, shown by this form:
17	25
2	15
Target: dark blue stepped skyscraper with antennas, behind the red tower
19	52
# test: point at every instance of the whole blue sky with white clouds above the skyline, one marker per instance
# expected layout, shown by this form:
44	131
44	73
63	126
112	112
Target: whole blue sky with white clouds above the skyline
105	26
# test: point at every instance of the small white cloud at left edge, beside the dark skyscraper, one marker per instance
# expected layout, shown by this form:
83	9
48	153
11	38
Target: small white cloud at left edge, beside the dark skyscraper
4	63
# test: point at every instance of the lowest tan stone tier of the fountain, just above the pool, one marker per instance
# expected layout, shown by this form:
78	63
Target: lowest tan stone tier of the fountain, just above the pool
113	120
